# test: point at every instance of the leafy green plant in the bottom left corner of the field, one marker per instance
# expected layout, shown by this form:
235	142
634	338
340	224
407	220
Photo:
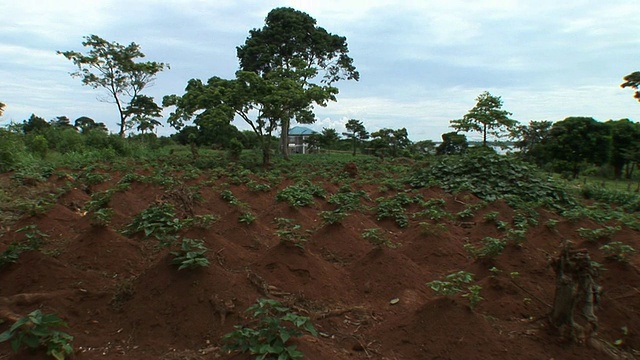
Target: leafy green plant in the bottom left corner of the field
38	330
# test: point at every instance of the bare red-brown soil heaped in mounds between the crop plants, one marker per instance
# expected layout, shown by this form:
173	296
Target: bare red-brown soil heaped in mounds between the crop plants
123	299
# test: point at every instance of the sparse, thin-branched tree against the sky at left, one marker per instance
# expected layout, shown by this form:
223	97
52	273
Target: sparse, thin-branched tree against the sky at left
113	66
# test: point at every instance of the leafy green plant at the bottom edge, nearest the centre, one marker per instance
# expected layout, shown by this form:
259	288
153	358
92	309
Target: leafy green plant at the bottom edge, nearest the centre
273	326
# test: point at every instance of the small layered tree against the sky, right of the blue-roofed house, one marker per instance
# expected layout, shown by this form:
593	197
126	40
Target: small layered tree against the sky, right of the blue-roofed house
487	117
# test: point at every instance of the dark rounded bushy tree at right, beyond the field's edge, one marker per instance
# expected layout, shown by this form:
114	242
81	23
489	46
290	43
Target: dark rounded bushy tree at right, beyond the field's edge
576	141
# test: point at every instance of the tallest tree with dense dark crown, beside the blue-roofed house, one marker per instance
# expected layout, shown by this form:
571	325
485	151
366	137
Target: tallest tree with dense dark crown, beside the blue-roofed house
291	51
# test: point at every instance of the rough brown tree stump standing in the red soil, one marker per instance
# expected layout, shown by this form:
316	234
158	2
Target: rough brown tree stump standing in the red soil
575	289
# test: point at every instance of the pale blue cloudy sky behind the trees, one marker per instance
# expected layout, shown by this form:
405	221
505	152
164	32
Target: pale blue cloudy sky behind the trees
421	62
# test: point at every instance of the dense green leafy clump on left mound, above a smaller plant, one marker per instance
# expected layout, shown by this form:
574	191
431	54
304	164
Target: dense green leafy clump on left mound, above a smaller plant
158	220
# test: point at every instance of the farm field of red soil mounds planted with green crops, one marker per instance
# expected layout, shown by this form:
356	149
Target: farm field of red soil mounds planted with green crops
357	246
